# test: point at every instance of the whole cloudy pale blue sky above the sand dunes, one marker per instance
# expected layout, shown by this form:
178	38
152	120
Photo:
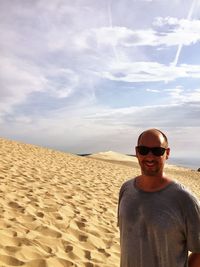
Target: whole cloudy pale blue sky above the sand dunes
86	76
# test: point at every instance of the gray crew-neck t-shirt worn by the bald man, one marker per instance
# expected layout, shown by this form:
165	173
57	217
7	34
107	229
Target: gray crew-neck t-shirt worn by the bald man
157	229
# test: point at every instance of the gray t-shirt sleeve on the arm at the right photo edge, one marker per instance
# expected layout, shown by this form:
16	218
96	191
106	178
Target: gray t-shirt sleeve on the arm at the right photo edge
193	225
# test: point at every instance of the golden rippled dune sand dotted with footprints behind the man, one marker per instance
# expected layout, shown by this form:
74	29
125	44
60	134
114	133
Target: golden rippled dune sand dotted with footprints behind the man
59	209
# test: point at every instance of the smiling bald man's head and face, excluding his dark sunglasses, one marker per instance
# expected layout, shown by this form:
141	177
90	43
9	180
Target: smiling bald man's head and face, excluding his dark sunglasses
152	165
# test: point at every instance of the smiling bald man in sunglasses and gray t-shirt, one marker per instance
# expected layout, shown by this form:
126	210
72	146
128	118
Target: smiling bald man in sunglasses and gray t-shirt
159	219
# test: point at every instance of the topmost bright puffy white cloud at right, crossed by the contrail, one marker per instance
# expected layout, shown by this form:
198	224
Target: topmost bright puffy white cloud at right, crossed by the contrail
169	32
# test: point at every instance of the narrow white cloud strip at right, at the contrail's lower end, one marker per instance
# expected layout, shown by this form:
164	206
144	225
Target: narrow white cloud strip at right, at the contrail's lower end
148	72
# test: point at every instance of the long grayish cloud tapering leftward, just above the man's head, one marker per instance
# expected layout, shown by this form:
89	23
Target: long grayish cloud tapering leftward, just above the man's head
168	115
